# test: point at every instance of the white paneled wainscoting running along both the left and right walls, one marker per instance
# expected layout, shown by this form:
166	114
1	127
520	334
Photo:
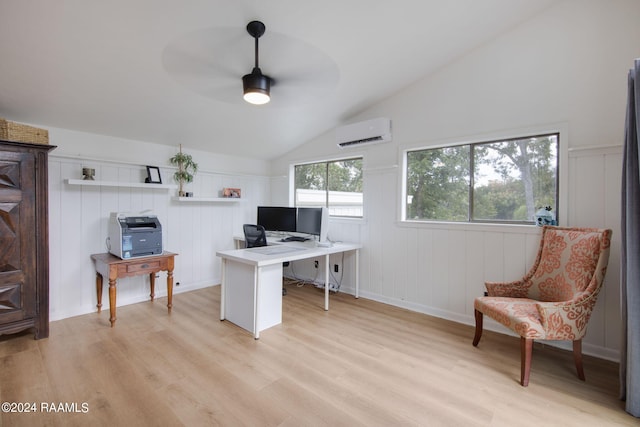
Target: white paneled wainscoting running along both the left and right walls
433	268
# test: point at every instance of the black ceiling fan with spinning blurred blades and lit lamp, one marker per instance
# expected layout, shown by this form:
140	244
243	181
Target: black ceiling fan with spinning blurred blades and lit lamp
211	63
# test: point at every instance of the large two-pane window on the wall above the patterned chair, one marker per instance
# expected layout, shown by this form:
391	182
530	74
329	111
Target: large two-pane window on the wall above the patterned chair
503	181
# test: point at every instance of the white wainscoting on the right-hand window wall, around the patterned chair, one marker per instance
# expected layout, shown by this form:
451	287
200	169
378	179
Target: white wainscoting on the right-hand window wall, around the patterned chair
439	268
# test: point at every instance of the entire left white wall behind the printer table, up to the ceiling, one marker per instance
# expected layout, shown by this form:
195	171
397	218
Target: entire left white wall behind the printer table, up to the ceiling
78	215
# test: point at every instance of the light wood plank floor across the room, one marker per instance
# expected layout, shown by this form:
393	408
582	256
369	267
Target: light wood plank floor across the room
360	364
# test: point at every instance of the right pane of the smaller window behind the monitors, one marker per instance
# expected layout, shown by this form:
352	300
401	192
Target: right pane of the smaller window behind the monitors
345	188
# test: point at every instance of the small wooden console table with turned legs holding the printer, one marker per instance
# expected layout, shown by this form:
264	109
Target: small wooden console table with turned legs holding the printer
112	267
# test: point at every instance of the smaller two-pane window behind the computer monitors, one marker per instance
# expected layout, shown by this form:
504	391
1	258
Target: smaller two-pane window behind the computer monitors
336	184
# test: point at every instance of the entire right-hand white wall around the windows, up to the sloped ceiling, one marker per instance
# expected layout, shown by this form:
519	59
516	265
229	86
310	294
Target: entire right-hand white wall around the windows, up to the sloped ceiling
564	70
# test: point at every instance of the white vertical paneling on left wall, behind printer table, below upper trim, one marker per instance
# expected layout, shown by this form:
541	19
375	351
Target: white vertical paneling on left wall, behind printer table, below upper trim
79	216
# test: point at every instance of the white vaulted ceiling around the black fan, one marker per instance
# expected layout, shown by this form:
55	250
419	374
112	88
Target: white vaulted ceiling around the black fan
116	67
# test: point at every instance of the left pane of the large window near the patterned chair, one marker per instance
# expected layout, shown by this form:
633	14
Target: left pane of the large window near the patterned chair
438	184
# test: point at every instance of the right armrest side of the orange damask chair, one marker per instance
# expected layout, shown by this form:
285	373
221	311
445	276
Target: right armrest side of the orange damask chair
566	320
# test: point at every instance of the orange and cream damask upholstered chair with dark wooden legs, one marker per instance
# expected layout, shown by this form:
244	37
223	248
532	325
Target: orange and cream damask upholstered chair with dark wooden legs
554	300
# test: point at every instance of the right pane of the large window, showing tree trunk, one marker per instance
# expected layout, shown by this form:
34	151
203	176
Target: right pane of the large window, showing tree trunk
513	179
